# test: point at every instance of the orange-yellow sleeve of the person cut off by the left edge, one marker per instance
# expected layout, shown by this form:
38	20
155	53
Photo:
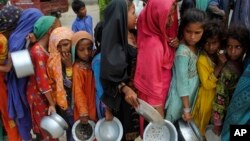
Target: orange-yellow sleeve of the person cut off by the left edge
3	49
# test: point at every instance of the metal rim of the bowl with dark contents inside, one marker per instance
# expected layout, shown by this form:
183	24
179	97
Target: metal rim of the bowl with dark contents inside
92	123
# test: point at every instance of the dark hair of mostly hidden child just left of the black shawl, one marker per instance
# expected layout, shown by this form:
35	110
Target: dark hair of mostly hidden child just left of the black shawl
98	36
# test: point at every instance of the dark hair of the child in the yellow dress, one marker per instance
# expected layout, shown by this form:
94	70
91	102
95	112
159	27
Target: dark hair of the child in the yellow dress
213	29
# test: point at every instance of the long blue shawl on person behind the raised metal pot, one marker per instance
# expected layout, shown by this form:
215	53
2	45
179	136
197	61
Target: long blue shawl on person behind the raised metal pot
18	107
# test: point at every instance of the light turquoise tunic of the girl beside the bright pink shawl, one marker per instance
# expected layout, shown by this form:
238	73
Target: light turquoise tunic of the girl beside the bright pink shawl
184	82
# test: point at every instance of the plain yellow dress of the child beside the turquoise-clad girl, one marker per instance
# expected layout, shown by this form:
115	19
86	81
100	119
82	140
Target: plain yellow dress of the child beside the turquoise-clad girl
203	106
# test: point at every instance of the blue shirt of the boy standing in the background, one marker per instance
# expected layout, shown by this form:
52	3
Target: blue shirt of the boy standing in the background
85	24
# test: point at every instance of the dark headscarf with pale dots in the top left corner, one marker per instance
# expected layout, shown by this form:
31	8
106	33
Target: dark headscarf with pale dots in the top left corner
9	17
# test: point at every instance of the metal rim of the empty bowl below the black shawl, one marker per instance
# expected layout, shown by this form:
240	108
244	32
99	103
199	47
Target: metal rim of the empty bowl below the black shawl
98	138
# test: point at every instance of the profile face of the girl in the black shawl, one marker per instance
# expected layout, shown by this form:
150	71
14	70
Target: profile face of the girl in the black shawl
131	17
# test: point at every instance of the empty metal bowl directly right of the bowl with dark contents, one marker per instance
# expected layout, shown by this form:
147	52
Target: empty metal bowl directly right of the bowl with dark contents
108	130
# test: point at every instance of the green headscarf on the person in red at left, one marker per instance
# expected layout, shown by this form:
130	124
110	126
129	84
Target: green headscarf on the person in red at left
43	25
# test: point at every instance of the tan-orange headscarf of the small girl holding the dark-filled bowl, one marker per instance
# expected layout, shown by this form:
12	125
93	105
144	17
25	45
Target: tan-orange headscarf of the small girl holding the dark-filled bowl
76	38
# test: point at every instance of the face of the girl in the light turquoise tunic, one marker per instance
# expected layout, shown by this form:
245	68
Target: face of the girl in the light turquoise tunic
192	33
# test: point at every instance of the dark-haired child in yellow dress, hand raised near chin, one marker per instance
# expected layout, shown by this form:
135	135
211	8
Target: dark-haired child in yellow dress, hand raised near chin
209	65
